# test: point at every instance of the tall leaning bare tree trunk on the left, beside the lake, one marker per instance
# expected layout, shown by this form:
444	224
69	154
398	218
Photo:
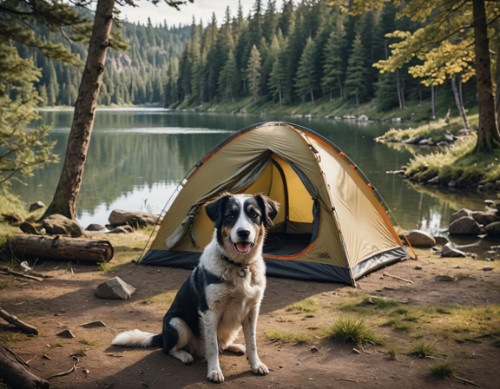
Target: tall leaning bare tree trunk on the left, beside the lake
64	201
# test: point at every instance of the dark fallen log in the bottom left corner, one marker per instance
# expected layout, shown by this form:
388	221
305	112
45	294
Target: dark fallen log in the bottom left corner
14	374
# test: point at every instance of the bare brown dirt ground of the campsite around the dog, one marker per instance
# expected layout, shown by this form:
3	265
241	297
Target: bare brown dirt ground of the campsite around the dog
66	300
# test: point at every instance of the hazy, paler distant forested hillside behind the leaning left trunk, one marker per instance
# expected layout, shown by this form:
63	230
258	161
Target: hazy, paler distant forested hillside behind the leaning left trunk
134	76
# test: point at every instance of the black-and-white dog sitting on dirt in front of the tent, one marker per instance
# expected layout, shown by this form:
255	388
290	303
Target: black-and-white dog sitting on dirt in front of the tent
223	293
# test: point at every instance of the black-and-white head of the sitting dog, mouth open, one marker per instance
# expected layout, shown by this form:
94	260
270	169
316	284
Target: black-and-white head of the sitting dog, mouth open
241	220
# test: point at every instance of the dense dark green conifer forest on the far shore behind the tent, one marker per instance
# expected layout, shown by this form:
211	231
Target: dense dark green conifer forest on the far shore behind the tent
297	52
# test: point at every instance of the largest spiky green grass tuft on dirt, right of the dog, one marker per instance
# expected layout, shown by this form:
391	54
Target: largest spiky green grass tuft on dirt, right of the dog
351	329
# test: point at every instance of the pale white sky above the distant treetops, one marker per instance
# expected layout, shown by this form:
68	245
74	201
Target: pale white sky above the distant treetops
199	9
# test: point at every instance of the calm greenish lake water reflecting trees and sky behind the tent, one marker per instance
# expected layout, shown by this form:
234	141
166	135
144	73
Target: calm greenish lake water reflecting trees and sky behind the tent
138	156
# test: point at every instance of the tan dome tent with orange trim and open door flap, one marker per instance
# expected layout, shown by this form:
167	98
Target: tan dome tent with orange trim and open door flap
332	225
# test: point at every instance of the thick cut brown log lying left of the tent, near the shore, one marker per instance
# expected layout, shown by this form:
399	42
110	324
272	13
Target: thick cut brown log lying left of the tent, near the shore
61	248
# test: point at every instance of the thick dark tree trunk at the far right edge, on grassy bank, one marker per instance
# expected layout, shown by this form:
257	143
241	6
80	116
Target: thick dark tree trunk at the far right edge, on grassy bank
488	137
